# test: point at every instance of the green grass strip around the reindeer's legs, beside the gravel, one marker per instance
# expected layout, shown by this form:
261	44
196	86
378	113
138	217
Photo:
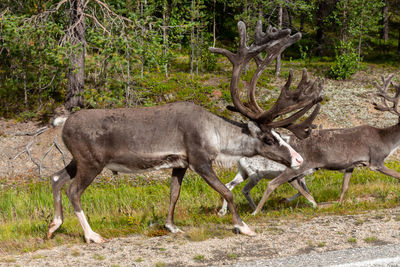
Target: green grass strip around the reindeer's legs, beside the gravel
121	206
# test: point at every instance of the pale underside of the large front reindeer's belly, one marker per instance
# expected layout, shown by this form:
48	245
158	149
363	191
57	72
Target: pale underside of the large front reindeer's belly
145	164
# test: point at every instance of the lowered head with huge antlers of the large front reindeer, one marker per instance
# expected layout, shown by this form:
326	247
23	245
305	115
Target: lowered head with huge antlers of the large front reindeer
307	94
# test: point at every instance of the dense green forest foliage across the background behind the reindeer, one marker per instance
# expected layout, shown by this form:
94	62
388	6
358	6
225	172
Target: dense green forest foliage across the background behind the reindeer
164	38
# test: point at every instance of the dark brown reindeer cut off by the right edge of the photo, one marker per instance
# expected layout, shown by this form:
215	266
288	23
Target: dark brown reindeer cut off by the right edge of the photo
345	149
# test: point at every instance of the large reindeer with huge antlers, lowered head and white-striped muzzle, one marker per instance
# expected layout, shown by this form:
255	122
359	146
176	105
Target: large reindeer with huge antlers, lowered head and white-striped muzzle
179	136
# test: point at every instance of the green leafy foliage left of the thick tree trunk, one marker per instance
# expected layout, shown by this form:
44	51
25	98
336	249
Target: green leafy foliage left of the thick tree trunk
32	64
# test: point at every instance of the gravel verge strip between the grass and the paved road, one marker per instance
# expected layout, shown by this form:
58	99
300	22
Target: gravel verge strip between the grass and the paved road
275	238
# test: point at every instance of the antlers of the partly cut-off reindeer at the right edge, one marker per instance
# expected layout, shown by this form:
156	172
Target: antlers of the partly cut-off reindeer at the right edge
386	99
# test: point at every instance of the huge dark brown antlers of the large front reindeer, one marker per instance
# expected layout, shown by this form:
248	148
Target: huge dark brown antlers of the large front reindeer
307	94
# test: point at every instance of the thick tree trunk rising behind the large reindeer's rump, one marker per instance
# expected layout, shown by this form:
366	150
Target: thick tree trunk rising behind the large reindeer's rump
76	72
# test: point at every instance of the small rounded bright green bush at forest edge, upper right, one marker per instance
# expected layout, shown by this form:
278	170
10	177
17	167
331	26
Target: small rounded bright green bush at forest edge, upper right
347	62
